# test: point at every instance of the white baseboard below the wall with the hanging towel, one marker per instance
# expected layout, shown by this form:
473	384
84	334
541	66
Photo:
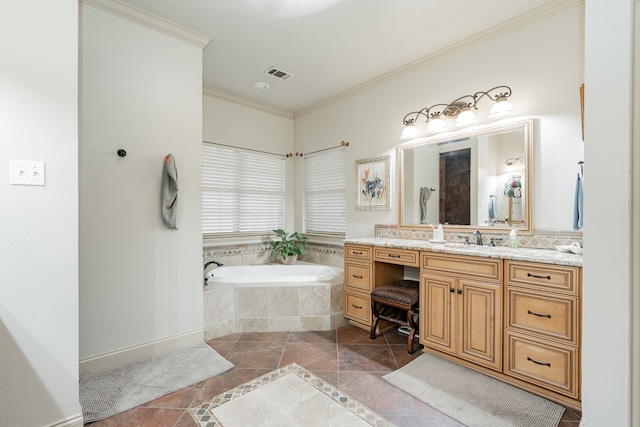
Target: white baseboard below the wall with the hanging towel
139	352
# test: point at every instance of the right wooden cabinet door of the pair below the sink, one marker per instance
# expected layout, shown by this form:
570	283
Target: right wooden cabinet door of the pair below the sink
480	322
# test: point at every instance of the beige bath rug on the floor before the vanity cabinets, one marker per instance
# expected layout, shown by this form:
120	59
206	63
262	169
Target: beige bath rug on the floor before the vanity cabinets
472	398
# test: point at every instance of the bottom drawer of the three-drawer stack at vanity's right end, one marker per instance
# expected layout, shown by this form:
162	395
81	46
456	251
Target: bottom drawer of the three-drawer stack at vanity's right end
547	365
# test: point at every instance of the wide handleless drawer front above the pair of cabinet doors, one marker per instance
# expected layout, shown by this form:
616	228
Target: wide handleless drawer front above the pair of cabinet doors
477	267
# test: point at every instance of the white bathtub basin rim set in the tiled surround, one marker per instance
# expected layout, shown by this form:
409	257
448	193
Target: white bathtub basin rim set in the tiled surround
271	273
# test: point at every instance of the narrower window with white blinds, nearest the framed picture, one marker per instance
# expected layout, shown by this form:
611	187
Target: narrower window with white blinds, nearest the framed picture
325	192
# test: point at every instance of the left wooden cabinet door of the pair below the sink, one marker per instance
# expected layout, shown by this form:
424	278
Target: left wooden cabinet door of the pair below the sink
437	312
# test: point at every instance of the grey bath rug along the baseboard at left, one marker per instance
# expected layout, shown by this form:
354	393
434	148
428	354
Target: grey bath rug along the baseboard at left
103	394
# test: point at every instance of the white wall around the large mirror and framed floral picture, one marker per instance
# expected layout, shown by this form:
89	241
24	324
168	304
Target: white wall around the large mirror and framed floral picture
543	66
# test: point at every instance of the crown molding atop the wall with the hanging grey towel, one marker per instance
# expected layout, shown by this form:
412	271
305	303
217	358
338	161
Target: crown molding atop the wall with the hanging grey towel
149	20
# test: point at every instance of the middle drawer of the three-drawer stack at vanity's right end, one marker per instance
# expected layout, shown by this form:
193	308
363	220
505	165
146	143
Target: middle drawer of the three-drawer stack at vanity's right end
551	316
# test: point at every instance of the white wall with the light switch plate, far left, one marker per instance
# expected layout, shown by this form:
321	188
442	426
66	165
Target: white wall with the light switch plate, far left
39	234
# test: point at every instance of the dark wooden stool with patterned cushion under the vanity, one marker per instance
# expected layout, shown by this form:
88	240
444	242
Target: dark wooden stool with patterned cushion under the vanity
397	302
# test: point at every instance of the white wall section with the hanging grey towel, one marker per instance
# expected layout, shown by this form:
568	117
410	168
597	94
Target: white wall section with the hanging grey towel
140	282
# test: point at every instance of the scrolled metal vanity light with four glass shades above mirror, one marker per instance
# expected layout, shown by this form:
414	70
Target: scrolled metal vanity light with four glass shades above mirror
461	109
